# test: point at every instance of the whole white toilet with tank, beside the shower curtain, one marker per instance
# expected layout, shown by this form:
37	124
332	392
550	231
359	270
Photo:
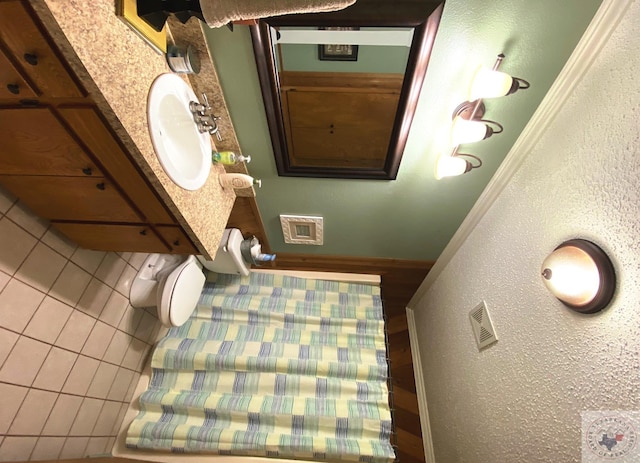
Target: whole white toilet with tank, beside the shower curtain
173	283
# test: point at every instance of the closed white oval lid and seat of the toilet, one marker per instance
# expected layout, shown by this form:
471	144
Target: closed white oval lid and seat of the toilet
181	293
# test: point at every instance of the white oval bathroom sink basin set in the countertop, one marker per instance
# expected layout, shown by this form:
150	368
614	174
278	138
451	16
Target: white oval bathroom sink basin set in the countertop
183	152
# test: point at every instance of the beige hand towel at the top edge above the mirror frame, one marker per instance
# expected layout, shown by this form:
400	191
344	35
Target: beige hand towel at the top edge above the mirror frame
217	13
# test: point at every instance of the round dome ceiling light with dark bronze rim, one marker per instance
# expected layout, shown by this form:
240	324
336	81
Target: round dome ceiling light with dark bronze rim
580	275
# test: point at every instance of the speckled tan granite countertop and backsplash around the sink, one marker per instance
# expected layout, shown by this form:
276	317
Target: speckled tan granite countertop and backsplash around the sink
117	68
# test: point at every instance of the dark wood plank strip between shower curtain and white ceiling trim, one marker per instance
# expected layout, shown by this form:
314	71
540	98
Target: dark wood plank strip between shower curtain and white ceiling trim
397	289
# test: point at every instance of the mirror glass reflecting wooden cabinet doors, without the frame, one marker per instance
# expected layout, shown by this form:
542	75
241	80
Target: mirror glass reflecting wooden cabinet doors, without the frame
340	94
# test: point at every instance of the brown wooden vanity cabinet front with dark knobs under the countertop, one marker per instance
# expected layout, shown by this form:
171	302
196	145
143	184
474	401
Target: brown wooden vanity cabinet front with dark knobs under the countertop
61	159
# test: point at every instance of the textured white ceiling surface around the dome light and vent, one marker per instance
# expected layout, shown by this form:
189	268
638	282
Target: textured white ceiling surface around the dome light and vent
520	400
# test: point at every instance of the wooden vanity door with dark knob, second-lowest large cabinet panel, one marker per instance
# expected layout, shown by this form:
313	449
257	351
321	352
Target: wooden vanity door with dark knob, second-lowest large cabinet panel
71	198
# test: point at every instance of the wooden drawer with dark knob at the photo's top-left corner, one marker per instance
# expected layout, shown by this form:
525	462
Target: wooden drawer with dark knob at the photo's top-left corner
32	51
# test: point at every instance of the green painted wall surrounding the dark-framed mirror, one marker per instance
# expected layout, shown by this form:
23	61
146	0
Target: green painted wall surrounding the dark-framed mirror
414	216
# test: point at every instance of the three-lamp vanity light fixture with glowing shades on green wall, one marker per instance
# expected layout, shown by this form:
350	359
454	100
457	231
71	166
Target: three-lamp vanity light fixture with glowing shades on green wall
468	125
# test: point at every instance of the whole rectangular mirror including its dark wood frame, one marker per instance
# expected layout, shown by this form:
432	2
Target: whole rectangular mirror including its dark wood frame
340	89
